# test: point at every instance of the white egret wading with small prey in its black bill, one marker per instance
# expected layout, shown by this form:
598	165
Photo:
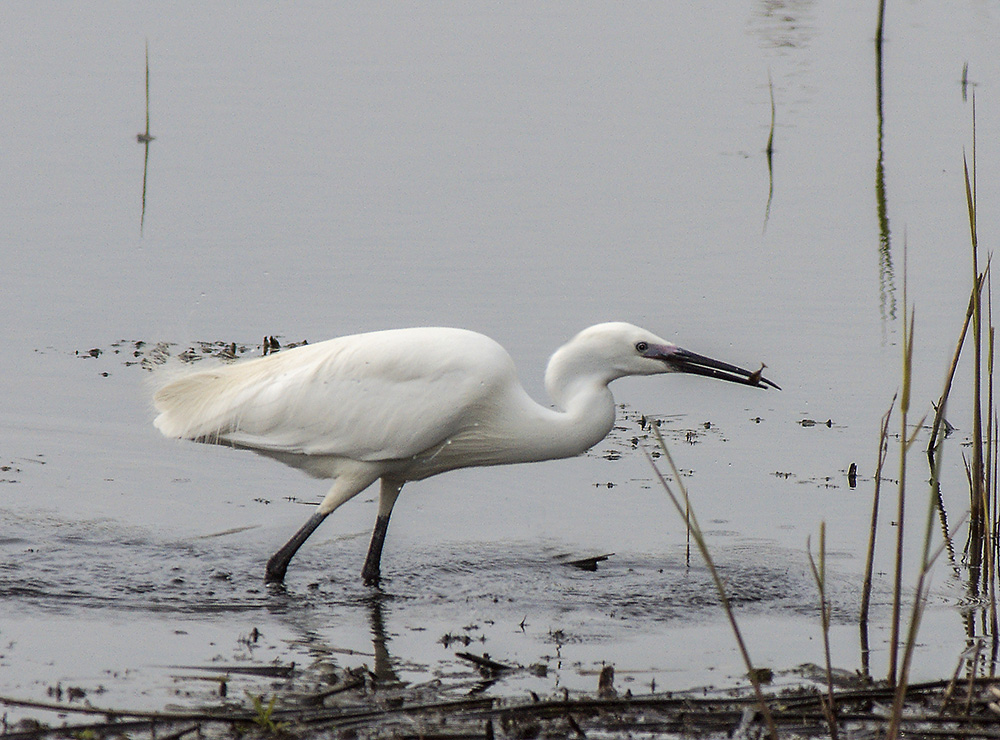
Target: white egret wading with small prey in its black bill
406	404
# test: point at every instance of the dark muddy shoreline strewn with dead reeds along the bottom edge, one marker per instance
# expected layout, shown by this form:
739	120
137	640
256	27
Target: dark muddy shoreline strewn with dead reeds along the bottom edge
358	705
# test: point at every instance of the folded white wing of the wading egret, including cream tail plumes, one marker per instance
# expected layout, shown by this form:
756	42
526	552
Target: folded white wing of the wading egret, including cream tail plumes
381	396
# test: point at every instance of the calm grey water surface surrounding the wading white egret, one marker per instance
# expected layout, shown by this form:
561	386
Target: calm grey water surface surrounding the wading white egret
526	172
